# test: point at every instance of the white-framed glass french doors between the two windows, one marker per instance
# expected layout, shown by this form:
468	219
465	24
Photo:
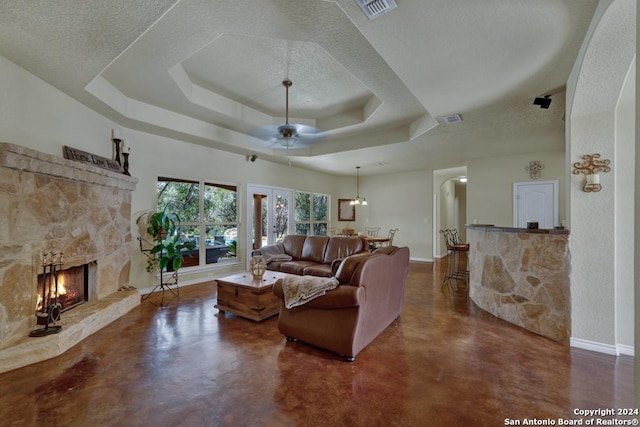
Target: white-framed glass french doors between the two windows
269	215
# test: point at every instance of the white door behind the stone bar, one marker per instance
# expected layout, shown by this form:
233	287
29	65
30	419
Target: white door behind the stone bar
535	202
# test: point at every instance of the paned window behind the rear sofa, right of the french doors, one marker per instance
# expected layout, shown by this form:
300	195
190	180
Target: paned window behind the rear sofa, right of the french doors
311	213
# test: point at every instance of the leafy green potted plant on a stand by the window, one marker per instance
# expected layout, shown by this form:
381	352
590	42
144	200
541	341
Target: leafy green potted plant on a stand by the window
166	245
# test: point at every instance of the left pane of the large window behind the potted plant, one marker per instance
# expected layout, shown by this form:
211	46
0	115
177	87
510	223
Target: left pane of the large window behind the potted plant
180	198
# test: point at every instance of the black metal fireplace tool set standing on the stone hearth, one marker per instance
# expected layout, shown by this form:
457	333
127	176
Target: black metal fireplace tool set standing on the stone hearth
50	309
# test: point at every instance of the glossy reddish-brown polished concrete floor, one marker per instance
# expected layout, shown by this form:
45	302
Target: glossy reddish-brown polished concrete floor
443	363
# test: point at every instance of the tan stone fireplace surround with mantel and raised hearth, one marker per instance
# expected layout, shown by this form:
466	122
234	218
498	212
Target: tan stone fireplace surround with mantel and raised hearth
48	203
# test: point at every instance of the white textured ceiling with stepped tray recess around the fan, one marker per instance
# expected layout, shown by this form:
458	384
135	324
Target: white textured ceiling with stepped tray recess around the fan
377	90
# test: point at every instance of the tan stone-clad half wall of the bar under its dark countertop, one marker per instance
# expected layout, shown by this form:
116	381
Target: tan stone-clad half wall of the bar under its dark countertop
523	278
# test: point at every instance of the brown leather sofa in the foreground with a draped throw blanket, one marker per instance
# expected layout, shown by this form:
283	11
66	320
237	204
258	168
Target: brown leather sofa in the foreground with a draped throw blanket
345	320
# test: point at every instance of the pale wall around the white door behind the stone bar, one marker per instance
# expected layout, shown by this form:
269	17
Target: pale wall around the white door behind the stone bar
490	185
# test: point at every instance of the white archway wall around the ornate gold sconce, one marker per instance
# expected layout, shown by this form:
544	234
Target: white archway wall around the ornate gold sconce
596	220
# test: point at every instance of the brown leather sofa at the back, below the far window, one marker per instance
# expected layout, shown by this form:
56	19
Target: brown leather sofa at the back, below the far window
316	255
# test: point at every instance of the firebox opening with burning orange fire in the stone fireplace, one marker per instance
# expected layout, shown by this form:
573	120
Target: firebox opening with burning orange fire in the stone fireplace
72	284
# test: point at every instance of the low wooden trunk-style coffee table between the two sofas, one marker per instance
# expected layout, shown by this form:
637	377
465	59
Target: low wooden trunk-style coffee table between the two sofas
240	294
